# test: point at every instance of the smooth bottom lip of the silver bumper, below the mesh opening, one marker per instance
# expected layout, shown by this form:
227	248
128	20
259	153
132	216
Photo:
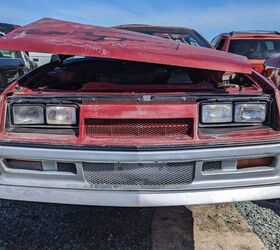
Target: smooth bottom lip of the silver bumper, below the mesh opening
139	199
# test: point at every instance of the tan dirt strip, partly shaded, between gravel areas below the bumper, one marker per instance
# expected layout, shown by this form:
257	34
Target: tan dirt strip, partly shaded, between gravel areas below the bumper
202	227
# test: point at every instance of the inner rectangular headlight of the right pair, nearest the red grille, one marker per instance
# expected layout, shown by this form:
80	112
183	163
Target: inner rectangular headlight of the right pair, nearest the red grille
216	113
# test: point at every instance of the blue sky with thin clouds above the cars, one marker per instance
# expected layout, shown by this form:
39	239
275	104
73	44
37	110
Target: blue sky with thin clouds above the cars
208	17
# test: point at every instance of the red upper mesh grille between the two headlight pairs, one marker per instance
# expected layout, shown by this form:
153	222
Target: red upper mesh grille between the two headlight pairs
137	127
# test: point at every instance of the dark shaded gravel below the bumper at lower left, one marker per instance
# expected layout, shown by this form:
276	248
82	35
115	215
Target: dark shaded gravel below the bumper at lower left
26	225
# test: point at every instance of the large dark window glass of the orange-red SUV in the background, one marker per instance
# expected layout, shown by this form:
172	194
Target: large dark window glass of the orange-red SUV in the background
255	48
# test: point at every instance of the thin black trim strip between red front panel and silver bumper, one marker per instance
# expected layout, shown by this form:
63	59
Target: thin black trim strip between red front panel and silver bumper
133	148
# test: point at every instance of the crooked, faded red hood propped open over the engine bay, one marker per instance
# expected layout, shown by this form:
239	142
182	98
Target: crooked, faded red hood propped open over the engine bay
68	38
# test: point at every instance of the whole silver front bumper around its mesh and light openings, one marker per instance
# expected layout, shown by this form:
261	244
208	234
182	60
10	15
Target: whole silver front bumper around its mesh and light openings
225	185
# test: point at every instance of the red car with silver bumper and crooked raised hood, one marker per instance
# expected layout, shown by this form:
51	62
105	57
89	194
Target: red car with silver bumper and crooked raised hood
127	119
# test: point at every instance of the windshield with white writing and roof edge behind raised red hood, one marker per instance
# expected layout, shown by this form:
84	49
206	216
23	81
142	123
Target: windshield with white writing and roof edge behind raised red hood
184	35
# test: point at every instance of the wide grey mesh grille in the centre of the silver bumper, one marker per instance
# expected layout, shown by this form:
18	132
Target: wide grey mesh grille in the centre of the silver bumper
139	175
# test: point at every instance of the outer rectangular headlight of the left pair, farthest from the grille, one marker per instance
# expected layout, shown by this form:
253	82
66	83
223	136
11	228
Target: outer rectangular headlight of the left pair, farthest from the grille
28	114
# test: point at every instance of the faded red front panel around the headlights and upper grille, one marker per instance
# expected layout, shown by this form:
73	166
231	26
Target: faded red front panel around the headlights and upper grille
130	109
